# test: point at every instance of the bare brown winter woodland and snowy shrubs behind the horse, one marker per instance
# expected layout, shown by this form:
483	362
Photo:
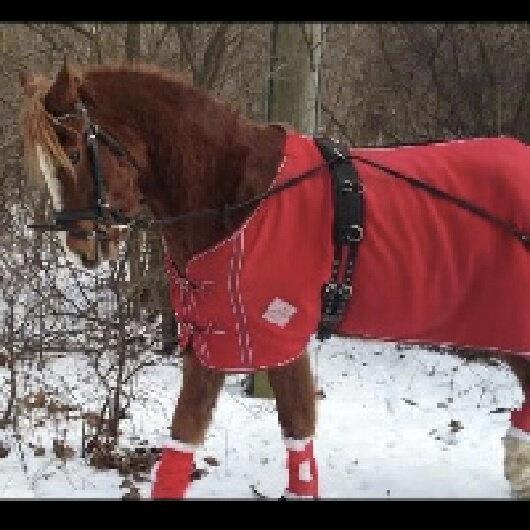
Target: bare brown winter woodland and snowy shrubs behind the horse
368	84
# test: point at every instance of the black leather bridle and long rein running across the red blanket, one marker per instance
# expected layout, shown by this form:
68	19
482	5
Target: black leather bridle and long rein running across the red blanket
103	214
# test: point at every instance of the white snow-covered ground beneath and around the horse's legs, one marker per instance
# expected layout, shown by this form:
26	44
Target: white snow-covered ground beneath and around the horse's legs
387	427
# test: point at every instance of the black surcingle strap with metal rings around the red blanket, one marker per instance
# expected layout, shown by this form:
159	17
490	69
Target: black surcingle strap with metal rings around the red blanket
347	233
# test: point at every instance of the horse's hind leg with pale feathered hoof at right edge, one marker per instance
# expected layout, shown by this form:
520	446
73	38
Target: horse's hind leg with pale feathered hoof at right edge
517	440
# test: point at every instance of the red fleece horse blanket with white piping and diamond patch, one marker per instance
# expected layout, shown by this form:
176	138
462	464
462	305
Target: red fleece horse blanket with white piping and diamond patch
427	271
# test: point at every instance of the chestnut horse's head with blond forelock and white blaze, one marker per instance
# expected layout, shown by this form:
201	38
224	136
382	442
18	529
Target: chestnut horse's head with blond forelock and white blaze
57	152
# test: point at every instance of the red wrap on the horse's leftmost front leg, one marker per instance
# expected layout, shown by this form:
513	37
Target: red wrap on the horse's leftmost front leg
172	474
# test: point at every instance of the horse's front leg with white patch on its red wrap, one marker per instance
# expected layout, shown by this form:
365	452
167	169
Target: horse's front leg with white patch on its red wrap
295	400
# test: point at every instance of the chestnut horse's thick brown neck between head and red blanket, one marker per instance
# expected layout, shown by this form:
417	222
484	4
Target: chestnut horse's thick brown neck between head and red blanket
198	153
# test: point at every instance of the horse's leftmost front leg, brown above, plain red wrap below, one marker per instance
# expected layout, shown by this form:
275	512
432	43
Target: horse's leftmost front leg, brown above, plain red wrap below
193	413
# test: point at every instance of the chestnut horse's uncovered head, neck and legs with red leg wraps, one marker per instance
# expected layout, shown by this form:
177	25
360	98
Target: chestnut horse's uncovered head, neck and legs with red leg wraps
171	148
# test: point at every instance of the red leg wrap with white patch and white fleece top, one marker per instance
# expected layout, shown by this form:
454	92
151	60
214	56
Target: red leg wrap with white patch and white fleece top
302	467
